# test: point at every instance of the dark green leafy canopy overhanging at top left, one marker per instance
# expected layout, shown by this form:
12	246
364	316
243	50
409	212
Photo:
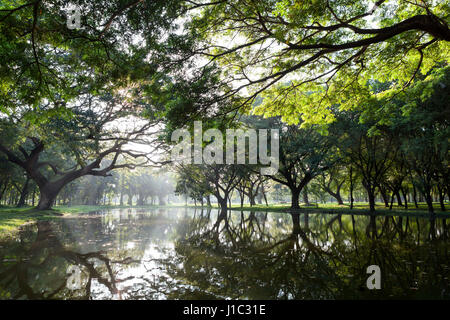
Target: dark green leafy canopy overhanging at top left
44	60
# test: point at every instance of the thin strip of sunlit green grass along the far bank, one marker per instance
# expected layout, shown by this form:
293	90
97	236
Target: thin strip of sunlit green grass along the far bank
11	219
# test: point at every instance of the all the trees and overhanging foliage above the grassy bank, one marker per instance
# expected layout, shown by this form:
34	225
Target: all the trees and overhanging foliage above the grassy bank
360	108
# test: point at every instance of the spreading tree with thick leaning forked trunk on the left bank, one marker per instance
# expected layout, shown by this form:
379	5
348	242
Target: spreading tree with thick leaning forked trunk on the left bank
61	151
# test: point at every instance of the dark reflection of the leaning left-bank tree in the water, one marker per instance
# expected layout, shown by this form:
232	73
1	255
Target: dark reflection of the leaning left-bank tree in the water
47	252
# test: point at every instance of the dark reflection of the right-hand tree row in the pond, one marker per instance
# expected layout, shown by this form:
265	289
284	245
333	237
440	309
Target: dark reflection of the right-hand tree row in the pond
242	256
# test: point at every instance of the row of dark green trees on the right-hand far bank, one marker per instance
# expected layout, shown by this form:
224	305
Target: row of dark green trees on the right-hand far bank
393	149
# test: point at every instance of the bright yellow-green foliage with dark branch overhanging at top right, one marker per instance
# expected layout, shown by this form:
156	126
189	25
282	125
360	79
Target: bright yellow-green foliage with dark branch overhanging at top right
327	50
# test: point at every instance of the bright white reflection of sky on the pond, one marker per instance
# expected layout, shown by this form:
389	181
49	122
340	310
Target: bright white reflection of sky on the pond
145	236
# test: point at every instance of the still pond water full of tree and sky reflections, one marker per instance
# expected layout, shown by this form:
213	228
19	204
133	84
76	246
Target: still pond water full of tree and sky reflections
202	254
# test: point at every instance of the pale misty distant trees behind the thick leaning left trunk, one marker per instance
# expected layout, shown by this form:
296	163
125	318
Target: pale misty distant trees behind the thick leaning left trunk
125	188
